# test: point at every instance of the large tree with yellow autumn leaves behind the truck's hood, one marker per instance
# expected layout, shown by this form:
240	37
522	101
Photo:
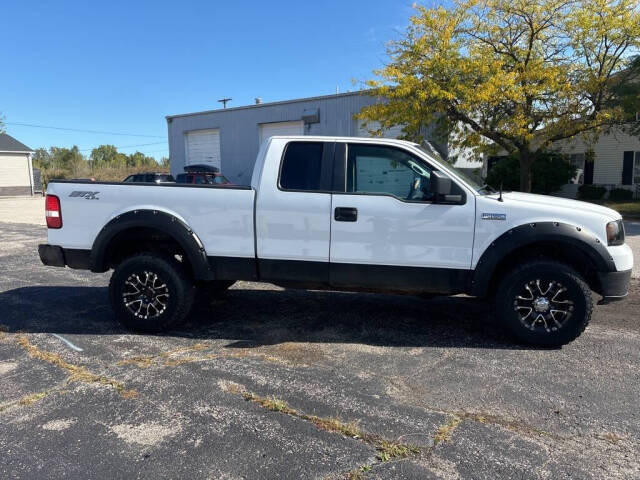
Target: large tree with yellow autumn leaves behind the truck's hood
515	75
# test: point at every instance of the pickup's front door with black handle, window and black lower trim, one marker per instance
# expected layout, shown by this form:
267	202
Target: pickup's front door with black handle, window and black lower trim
389	231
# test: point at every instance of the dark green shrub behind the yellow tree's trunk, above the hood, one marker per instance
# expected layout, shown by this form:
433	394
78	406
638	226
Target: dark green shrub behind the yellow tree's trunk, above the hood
550	171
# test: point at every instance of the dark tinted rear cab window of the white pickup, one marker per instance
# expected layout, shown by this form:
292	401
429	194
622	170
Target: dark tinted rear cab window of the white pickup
302	167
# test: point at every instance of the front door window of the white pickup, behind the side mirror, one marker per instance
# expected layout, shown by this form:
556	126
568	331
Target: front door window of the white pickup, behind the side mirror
384	170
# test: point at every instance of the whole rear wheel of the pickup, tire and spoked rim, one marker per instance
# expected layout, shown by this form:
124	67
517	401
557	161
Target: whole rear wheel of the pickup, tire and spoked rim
150	293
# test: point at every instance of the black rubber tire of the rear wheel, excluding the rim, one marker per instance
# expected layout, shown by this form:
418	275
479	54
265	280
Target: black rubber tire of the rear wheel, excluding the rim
168	272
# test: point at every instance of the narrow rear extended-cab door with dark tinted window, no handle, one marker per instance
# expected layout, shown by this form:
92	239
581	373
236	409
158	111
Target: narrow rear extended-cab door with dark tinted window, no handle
293	211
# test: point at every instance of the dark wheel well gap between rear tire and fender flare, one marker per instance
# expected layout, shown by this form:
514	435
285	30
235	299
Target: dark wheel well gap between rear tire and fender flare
144	240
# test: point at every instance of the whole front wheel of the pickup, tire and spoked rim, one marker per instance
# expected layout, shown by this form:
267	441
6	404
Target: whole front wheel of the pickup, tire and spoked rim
544	303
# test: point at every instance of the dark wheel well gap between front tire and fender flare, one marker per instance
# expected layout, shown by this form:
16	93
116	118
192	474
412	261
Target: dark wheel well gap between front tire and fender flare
557	251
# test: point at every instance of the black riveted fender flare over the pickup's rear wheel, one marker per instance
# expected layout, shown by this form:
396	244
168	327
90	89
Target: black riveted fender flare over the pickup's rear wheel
166	223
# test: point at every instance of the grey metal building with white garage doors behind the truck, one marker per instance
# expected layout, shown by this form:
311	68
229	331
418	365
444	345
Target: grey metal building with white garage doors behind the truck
229	138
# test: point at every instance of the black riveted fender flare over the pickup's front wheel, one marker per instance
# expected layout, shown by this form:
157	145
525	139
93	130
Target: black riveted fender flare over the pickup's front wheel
532	233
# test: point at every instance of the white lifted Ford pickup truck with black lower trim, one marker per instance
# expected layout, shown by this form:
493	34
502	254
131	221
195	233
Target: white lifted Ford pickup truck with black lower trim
343	214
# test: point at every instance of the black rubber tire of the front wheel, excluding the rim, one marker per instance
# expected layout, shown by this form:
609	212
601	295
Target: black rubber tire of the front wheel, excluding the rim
513	284
